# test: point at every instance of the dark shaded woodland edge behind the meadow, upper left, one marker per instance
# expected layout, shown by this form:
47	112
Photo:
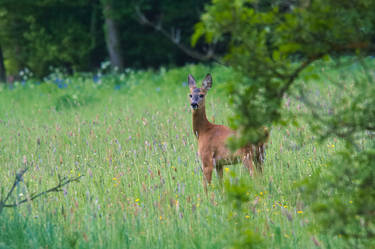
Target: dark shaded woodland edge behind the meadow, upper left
80	34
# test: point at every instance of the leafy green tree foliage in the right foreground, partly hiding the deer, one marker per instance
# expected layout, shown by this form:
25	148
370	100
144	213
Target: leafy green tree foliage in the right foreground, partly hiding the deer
272	49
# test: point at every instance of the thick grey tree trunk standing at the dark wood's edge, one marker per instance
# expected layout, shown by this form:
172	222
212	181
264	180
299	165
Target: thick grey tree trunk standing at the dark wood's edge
112	37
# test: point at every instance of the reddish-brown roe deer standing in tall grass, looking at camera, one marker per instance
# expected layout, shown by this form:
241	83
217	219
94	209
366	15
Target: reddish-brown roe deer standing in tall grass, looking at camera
212	138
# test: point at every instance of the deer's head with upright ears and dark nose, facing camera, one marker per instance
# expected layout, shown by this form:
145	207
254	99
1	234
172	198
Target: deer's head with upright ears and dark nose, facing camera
197	94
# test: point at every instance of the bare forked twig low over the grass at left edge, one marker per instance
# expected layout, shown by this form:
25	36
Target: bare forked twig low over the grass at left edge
19	177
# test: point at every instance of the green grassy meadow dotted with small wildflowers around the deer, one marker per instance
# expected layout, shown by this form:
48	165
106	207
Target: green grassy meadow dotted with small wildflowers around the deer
130	136
